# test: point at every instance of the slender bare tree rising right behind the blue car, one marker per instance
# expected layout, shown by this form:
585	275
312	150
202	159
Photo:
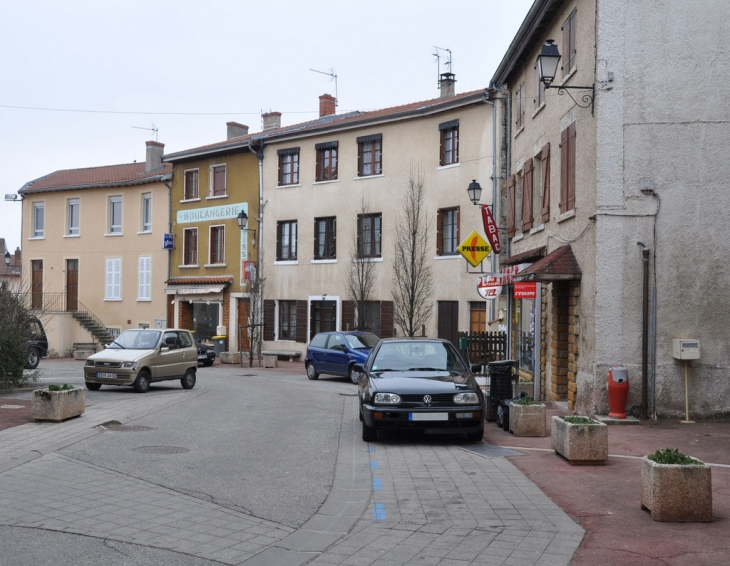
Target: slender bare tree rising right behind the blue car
362	272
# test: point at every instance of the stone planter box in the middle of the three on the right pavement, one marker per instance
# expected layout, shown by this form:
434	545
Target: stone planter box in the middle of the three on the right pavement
580	444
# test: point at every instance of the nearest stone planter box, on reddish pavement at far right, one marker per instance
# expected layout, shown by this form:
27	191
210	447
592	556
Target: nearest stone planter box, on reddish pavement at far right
675	492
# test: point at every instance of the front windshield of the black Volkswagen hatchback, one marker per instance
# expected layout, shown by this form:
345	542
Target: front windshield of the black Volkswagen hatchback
418	356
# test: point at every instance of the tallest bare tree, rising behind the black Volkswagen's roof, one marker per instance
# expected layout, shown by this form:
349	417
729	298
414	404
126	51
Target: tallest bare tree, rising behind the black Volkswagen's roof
412	284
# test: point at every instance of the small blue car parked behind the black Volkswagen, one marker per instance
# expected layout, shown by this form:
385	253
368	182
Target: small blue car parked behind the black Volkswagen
336	353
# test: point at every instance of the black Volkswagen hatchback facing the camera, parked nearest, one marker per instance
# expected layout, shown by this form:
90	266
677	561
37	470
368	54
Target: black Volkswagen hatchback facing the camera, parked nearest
420	384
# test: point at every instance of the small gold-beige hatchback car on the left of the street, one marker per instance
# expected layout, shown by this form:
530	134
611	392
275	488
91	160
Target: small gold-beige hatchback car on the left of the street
140	356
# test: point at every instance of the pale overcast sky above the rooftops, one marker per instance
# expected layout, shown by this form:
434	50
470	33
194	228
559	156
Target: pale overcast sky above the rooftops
189	67
